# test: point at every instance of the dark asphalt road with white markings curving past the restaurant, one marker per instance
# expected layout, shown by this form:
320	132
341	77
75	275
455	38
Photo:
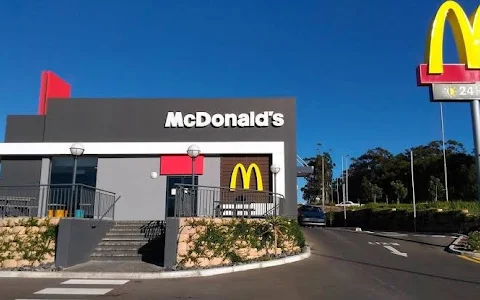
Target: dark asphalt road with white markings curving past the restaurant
343	265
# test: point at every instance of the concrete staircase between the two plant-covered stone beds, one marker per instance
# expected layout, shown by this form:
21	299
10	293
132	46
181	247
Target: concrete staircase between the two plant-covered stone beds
132	241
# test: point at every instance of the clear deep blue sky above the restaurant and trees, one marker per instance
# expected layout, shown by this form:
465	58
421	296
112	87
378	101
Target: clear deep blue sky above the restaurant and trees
350	64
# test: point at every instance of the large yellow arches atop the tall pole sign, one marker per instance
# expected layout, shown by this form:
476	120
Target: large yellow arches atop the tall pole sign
466	32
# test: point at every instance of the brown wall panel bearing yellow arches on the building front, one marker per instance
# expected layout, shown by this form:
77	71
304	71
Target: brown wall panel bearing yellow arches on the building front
251	172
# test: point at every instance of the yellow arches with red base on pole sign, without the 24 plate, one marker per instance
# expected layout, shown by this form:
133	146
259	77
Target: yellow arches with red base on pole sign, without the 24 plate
466	32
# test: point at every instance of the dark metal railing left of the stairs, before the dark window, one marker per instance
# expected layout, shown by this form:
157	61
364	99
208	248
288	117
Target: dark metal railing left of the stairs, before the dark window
56	200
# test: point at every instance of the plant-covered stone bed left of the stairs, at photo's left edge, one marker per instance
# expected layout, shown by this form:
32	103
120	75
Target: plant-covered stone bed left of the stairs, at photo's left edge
27	242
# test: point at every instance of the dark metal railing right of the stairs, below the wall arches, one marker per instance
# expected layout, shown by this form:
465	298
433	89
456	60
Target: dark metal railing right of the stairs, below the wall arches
208	201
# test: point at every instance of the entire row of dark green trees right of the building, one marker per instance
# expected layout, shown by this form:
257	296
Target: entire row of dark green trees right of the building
381	176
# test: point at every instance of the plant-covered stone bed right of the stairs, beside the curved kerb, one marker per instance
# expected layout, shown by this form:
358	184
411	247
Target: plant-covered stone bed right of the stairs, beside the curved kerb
211	242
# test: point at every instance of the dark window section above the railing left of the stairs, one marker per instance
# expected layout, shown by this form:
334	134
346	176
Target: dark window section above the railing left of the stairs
62	170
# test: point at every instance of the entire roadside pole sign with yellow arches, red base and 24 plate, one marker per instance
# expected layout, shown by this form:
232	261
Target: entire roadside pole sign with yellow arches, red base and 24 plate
460	81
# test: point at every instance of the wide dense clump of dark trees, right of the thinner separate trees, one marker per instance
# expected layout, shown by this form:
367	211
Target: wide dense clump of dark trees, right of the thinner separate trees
380	167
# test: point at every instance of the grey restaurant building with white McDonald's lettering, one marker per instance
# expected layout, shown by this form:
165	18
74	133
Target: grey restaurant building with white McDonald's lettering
128	140
